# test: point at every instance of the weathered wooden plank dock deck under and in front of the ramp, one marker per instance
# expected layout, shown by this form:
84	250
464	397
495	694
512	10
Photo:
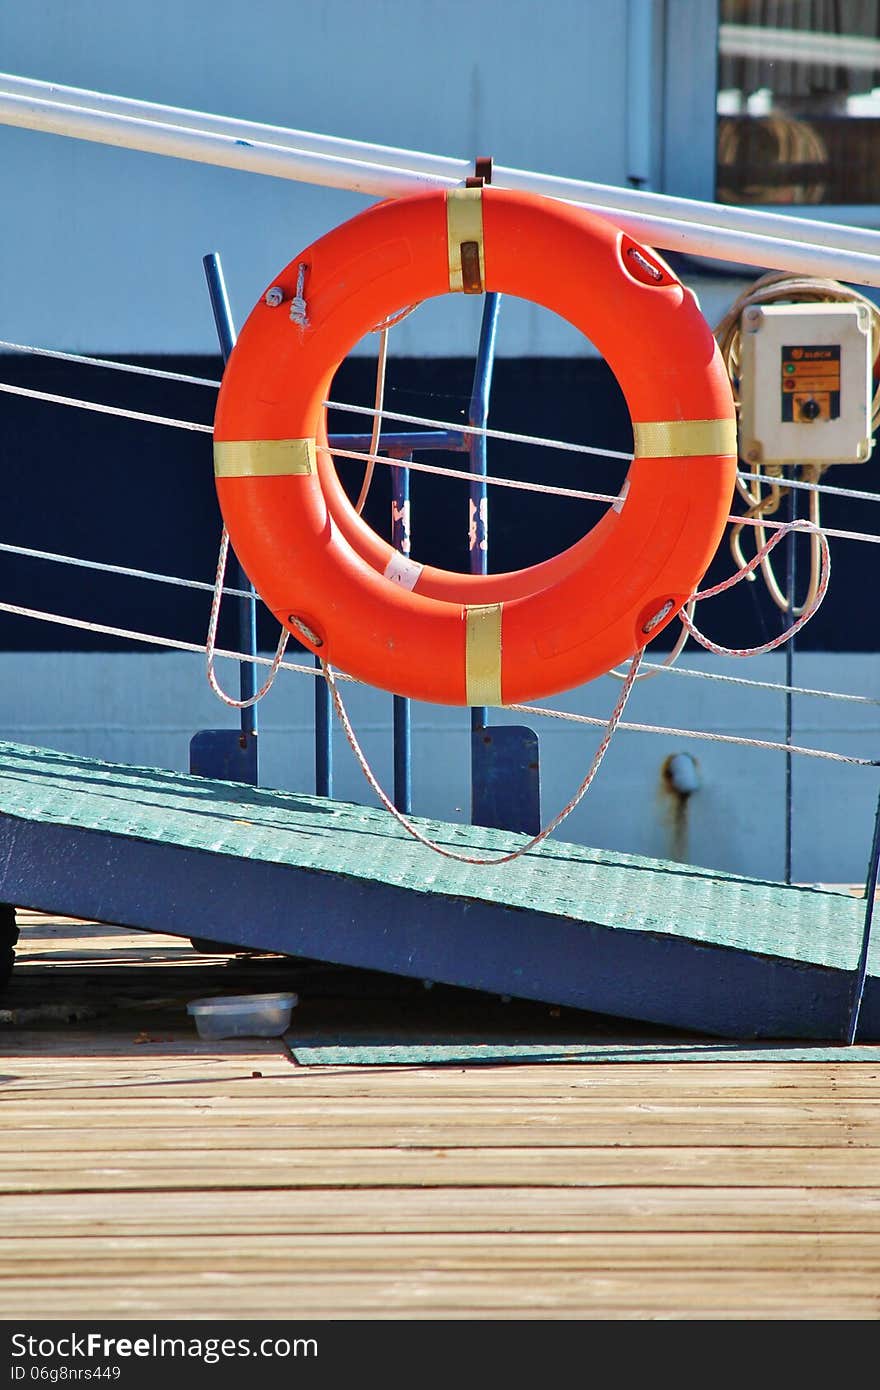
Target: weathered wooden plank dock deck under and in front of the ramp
148	1174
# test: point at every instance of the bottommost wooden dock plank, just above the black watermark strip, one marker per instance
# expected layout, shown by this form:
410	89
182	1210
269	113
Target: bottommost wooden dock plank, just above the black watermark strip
461	1295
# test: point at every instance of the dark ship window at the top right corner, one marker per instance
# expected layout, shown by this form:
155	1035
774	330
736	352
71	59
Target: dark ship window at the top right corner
799	102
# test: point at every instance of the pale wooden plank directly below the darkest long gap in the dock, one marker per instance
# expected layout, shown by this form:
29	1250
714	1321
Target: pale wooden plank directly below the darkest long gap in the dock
443	1210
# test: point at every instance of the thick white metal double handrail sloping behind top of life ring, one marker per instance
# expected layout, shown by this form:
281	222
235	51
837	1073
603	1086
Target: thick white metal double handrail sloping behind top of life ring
753	238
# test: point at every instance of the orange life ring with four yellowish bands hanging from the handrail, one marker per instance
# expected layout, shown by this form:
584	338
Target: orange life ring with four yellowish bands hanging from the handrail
437	636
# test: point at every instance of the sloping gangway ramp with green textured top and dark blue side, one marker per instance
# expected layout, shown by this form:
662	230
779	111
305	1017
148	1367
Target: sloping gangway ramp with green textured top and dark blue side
329	881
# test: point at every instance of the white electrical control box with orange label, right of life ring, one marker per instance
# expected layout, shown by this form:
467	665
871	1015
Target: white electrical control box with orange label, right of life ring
806	384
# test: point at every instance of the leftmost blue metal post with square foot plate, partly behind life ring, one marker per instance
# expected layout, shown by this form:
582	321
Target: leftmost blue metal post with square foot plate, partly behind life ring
220	753
